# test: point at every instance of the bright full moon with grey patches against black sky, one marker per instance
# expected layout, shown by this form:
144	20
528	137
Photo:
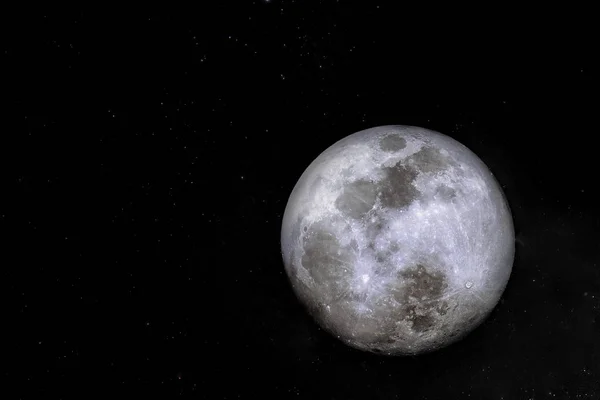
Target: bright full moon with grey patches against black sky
398	240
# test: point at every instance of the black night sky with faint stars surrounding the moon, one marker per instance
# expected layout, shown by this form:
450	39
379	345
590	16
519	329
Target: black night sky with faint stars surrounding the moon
149	155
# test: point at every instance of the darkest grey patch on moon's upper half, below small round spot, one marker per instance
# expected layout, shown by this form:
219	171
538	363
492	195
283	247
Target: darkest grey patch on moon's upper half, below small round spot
397	190
